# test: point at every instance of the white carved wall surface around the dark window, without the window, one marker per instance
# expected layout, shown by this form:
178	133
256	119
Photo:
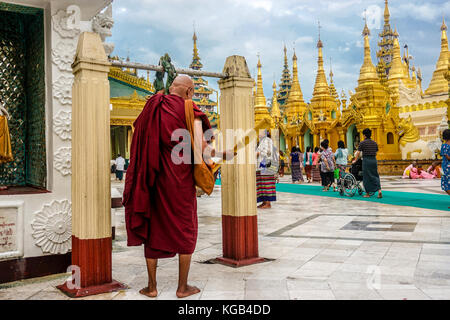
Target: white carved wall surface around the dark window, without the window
46	220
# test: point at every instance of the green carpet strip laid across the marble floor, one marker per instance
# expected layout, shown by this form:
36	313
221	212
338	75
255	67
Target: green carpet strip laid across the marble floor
408	199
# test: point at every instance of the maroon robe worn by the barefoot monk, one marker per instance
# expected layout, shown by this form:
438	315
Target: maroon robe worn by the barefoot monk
160	196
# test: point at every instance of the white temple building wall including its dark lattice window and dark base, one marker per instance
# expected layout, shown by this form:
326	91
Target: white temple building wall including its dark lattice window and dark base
35	218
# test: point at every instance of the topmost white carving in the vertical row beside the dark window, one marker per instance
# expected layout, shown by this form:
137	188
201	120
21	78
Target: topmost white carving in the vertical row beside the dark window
67	23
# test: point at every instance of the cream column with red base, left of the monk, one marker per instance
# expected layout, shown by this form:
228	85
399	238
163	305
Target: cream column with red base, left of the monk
91	190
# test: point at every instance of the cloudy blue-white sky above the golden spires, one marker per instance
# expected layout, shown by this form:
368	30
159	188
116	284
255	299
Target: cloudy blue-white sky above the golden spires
146	29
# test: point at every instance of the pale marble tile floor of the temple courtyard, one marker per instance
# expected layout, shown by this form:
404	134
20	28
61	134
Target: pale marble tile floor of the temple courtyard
316	248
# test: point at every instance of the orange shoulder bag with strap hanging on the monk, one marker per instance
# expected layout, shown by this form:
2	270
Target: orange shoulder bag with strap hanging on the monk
203	174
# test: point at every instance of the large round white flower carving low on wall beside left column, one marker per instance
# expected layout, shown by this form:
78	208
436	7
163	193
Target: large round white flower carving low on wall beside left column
53	227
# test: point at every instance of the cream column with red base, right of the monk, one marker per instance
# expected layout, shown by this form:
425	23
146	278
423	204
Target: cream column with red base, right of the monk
239	222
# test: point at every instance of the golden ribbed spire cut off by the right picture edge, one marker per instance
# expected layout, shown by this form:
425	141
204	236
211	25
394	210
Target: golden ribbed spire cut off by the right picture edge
438	84
